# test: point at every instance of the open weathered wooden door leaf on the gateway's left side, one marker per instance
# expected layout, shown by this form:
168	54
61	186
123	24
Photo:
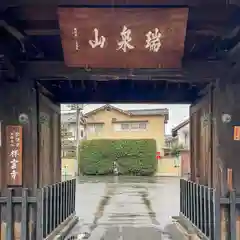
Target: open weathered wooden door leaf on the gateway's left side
49	144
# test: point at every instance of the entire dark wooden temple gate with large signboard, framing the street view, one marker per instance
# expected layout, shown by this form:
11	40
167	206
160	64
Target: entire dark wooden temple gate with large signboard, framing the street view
168	51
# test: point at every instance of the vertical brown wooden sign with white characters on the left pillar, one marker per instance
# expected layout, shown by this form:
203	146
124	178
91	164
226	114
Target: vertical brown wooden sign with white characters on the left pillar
14	155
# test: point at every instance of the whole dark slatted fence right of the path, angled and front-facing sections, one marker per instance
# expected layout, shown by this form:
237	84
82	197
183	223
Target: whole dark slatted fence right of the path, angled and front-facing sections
202	206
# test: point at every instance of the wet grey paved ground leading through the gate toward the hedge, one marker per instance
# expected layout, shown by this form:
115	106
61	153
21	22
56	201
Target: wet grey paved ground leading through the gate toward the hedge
127	208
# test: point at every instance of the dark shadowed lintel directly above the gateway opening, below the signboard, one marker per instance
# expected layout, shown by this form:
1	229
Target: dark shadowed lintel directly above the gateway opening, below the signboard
123	91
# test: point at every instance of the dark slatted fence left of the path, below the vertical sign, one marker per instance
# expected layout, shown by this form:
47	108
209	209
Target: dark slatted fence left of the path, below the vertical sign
37	216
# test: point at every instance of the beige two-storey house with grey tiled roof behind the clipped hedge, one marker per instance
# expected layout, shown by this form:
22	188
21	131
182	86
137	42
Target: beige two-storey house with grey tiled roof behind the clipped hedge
109	122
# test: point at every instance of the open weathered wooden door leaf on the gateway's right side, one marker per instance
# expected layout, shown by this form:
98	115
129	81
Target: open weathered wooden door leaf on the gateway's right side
201	141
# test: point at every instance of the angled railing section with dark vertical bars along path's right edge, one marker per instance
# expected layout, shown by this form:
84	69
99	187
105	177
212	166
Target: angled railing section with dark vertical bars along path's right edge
201	206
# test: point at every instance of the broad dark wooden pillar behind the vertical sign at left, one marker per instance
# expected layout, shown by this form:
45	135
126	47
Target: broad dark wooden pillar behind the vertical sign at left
18	108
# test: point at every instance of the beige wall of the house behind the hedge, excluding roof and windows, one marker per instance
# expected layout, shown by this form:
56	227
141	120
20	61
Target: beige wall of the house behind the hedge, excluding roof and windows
155	127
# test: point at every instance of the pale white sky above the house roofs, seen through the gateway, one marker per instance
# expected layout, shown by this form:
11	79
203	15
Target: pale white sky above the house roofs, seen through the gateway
177	112
